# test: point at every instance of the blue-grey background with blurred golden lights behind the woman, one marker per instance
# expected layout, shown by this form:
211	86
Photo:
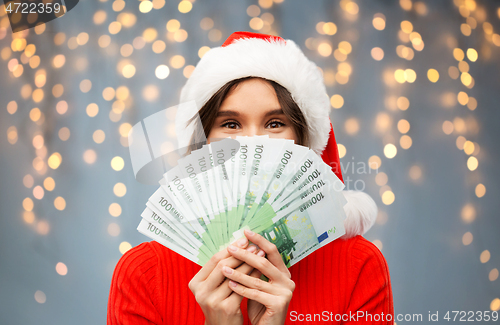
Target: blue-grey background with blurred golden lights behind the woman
414	89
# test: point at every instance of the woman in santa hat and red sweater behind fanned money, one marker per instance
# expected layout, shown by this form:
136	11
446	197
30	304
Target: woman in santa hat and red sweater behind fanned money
253	85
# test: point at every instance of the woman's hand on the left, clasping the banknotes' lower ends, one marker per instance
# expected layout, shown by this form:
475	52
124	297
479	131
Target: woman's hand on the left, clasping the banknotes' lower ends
210	287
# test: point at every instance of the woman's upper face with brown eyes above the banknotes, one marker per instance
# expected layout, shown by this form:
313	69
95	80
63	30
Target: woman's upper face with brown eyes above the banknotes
252	108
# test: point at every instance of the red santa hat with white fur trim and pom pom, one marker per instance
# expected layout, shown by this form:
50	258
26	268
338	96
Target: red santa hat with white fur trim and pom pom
246	54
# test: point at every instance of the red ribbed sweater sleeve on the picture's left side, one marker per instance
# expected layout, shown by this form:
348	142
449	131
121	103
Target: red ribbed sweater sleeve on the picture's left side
134	296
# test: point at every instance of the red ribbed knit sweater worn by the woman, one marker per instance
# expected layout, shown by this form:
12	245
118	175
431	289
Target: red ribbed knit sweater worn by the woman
341	280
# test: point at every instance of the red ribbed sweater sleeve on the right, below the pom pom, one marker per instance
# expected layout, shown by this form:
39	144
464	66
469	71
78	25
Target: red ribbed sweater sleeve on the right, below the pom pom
371	298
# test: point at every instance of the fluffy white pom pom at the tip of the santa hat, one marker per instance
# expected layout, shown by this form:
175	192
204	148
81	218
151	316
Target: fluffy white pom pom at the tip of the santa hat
361	213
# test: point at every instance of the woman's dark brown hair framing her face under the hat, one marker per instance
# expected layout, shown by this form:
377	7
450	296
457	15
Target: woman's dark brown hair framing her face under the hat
208	112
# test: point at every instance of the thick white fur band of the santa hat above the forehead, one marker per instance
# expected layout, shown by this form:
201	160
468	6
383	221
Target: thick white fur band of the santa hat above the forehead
273	60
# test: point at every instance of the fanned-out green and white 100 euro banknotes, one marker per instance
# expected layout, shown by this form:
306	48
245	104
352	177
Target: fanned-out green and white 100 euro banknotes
281	190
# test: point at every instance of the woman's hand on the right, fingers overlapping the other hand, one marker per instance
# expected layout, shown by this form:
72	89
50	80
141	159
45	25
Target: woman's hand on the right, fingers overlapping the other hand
268	301
